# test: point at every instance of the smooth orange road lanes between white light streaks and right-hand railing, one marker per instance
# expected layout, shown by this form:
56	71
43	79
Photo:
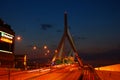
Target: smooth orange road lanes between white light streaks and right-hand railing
63	73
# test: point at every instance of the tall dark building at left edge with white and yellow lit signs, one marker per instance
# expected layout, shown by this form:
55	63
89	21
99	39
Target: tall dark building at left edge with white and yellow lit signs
7	40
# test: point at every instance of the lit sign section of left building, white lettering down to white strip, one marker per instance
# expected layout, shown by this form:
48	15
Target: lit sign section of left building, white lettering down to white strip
6	42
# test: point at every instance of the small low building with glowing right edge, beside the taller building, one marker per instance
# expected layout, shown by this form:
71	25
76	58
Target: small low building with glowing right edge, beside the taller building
21	61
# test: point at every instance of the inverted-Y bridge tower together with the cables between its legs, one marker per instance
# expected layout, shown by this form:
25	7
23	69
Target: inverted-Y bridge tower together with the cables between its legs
60	53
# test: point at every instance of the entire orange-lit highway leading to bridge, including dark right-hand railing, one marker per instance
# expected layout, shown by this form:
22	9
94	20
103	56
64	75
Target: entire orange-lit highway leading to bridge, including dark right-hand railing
59	72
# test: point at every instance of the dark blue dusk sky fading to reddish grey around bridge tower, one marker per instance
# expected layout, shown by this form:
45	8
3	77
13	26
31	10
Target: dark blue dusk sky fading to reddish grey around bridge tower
94	24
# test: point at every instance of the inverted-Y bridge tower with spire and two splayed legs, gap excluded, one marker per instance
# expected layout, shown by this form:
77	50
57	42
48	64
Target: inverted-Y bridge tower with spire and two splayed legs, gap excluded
66	35
